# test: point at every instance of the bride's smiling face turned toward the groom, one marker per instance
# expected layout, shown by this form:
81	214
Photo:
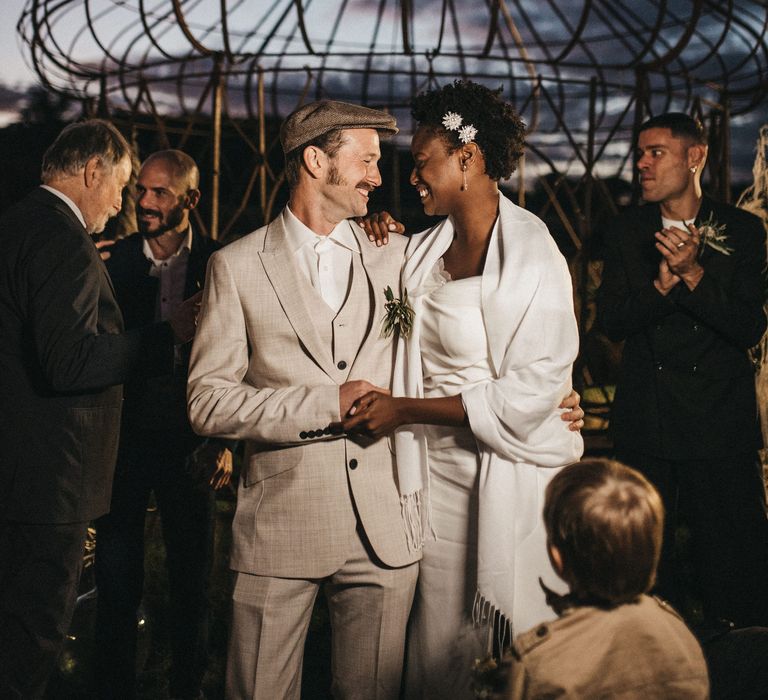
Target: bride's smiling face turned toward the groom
436	173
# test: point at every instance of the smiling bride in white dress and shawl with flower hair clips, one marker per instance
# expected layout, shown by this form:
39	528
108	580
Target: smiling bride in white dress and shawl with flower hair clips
475	399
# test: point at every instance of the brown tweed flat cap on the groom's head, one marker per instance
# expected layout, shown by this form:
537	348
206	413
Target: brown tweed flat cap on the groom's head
317	118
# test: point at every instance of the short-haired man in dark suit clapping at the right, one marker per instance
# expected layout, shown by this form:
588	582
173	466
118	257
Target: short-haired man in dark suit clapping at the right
683	286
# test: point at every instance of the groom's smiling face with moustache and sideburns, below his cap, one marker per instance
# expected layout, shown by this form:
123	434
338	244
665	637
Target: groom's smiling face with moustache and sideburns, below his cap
353	173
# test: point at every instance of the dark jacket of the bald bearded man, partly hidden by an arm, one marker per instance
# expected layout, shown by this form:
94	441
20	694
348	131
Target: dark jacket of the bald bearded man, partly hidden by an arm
158	404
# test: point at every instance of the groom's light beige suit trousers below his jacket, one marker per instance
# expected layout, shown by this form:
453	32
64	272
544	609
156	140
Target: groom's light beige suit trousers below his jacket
368	604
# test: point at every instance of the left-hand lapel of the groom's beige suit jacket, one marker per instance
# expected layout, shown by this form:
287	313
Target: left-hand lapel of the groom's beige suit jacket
285	278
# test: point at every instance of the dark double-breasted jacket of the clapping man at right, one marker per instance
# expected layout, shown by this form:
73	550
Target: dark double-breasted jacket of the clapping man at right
686	386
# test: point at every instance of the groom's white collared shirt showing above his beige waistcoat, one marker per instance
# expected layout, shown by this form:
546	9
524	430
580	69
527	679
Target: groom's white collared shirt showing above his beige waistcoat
324	260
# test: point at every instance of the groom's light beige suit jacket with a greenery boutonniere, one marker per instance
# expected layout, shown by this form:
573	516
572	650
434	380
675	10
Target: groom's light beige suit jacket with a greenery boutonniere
267	362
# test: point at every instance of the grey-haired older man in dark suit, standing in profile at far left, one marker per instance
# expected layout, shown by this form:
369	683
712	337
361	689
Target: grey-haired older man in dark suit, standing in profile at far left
63	357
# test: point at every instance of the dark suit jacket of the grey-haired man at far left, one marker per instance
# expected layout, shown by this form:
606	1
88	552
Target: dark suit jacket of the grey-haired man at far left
63	356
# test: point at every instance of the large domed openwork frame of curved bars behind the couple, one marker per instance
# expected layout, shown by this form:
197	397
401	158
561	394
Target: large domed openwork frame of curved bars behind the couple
582	73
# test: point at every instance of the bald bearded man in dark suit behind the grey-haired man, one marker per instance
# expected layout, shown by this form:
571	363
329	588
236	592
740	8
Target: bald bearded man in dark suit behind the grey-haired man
153	271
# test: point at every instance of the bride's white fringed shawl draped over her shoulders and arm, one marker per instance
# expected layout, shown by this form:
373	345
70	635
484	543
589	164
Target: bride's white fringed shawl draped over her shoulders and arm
527	307
